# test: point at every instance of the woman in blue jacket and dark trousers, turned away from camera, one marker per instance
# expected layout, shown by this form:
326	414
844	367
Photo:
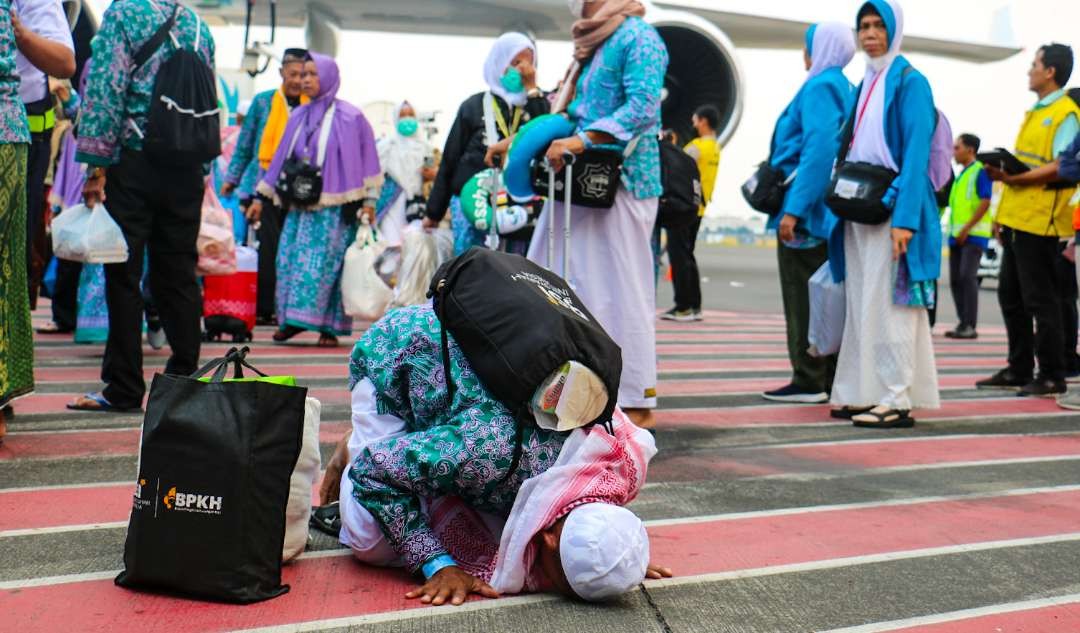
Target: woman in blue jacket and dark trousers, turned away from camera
805	144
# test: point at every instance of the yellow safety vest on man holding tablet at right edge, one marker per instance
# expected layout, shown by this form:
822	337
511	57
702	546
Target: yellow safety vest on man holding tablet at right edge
1038	210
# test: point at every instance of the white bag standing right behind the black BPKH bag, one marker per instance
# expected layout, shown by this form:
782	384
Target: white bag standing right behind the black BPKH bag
305	475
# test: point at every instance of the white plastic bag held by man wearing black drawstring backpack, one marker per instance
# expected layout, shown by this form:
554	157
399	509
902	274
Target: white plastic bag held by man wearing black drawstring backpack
89	236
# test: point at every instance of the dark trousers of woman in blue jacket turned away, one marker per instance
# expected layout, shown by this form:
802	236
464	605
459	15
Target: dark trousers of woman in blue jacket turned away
796	268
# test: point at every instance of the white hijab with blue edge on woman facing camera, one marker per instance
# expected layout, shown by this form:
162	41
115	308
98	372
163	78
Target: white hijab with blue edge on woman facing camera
871	145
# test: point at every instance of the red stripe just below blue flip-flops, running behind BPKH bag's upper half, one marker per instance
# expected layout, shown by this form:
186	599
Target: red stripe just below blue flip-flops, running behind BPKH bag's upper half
102	443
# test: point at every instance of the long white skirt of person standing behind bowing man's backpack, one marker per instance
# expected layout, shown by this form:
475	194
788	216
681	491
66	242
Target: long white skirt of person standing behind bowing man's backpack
612	272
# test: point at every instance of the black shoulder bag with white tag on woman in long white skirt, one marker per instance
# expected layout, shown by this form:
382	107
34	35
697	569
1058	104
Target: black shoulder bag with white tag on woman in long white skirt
858	191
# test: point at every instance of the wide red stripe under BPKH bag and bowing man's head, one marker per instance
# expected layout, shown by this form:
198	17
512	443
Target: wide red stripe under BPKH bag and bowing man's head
337	587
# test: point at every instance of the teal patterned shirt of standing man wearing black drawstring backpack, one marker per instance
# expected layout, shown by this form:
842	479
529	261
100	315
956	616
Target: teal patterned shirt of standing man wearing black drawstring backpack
118	98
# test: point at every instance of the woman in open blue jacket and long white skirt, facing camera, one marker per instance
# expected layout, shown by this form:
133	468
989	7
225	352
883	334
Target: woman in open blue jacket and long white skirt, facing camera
887	357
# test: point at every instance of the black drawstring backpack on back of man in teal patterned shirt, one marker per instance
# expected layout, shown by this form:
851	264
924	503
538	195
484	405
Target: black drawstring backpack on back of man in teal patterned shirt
183	127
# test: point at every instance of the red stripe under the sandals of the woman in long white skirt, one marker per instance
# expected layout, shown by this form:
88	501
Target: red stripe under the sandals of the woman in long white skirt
750	416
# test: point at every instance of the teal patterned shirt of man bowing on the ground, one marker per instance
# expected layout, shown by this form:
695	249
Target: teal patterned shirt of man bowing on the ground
463	449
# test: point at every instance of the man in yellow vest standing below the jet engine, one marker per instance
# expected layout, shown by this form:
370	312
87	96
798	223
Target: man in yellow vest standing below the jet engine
706	150
